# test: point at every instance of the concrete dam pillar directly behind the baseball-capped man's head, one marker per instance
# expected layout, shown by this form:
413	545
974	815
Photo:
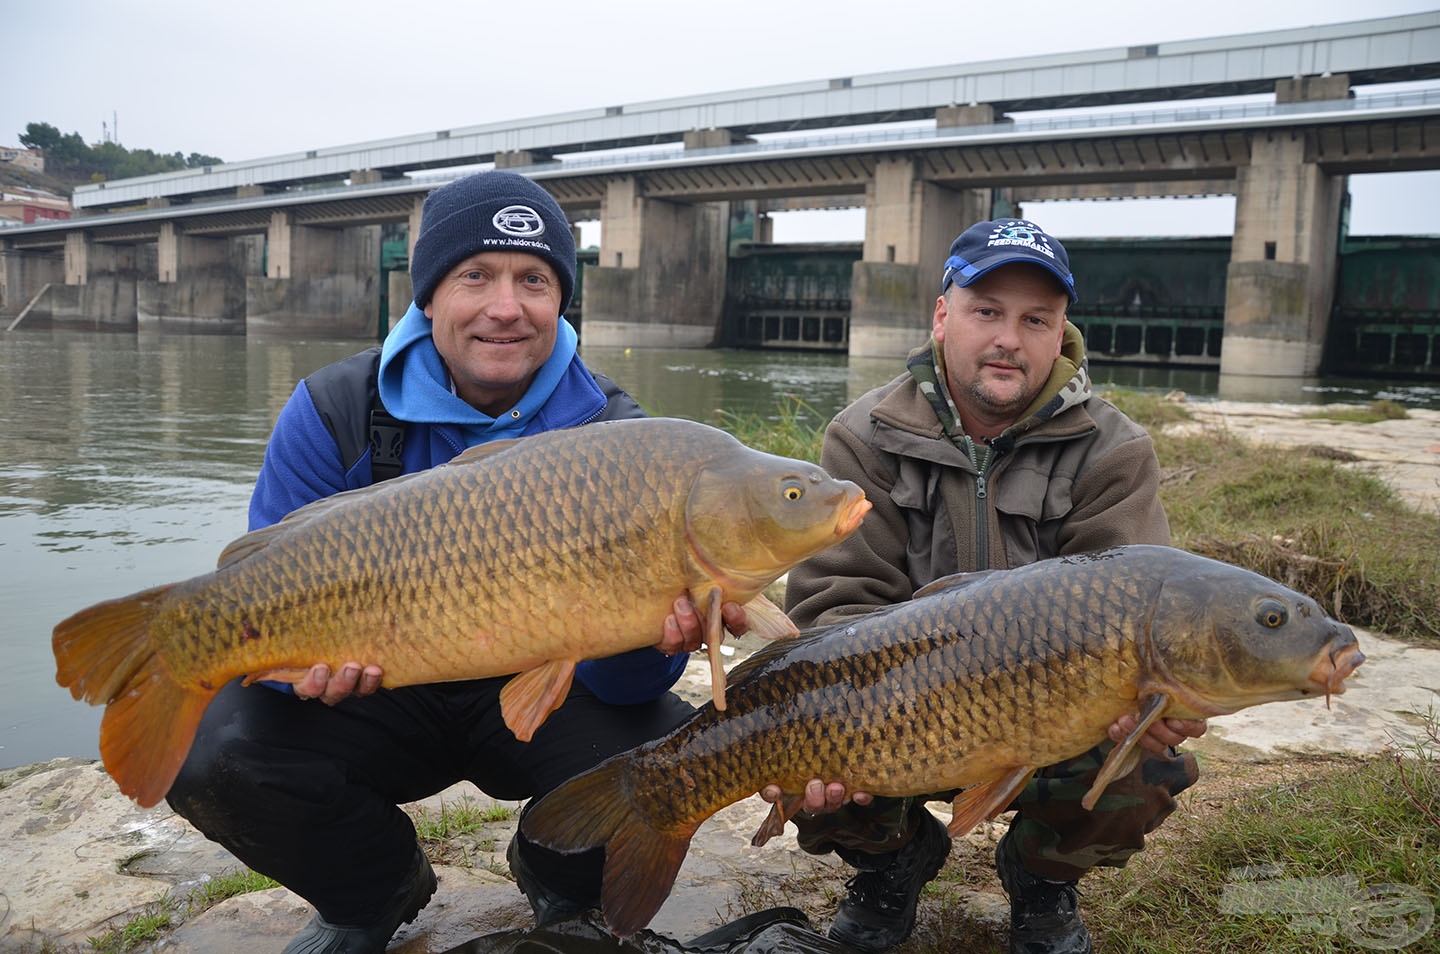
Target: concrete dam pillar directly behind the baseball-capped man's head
909	228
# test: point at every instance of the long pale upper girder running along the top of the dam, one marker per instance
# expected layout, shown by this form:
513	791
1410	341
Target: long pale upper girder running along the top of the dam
1364	53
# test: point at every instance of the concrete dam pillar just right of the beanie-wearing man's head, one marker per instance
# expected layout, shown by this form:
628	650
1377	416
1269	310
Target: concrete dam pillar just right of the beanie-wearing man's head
662	277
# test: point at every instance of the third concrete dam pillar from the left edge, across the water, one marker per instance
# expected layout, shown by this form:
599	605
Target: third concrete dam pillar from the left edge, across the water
198	287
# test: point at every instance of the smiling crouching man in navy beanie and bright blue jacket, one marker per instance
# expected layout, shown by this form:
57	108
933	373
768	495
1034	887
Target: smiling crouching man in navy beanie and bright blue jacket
309	793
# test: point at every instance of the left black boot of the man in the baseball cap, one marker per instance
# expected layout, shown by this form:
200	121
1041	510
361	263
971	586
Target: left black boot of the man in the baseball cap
879	909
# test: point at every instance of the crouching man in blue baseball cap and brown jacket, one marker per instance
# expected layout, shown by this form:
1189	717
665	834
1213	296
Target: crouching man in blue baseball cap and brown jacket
990	452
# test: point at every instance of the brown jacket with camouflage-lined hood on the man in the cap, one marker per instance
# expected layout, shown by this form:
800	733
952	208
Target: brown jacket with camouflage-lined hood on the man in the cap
1074	475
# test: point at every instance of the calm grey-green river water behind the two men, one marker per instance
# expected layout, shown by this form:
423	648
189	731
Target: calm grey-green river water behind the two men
126	462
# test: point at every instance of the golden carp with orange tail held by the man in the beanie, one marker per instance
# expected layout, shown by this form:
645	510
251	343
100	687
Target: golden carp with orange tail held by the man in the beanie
518	557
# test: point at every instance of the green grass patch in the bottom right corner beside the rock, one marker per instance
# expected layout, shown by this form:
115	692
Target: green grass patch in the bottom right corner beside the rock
1341	862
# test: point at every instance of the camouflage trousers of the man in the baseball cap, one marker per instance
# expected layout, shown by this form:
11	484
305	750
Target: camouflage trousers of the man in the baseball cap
1053	834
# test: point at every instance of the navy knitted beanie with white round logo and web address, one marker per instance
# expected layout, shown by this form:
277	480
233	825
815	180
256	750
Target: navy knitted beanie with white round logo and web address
490	213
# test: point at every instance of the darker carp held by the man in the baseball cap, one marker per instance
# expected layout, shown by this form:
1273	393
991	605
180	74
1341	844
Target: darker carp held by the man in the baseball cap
973	685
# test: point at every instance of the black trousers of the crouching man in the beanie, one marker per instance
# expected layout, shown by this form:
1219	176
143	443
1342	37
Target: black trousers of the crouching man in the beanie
309	793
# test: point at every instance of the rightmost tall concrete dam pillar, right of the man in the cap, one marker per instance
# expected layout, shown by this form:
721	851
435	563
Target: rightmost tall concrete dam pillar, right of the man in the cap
1281	280
